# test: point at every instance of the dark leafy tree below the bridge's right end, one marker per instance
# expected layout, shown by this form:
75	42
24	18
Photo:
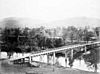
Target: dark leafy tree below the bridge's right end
93	58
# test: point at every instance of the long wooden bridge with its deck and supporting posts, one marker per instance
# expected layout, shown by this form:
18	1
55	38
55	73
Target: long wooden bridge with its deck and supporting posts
65	49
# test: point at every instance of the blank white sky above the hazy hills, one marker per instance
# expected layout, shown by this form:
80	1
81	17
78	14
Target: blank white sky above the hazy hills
49	10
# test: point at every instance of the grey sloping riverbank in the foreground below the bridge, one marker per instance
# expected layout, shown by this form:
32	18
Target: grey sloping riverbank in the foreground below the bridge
6	68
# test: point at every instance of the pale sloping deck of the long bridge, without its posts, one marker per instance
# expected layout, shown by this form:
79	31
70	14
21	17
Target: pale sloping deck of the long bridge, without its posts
67	48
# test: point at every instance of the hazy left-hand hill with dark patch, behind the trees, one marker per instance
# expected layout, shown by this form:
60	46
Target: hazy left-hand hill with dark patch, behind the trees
20	22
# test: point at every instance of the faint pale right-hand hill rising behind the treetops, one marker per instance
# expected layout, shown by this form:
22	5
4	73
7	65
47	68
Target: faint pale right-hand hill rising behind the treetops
77	22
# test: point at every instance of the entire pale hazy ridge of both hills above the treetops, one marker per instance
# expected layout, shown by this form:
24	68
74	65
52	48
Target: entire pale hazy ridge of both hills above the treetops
27	22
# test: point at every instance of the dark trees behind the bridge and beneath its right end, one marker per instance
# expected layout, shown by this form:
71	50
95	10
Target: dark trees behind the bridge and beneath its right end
37	39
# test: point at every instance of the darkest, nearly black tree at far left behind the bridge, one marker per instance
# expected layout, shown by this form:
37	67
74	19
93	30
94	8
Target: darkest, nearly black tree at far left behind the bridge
10	40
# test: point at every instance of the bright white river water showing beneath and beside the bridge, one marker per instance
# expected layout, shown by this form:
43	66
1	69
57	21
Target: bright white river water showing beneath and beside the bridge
78	64
